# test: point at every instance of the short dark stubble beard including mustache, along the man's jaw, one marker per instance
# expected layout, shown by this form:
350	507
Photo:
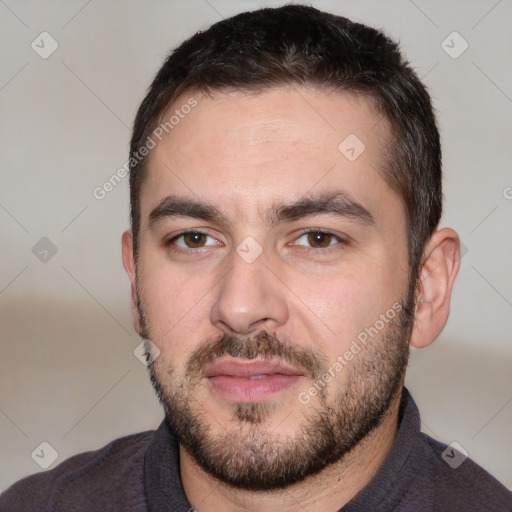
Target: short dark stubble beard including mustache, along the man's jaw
247	454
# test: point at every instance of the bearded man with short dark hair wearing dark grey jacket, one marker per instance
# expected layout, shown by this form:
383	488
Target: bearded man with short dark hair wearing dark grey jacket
284	254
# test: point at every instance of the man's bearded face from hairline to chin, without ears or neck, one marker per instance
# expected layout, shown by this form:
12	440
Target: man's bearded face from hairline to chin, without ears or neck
277	312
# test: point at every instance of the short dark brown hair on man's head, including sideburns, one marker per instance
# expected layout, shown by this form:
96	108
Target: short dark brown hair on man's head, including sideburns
300	45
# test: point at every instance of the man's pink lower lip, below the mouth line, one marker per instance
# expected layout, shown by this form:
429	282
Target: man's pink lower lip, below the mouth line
242	389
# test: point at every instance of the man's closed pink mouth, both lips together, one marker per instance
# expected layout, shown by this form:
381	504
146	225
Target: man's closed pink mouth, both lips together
238	380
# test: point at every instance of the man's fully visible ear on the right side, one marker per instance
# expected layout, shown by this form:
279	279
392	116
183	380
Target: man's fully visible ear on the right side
441	261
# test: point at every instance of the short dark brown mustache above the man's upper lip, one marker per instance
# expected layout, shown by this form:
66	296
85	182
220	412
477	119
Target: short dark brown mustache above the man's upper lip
261	345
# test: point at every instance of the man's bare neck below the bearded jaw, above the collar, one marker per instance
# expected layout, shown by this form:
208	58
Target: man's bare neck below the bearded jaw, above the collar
328	490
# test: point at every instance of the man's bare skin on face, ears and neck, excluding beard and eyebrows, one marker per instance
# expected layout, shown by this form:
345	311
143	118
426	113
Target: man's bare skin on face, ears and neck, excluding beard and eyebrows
243	153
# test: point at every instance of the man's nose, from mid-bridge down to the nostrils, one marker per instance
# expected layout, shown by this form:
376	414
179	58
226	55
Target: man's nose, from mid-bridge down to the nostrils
249	298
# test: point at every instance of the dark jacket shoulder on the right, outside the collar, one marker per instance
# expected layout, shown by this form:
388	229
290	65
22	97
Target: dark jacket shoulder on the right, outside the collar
458	483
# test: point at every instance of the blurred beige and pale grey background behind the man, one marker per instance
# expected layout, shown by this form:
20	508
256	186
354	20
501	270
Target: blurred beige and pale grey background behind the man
68	375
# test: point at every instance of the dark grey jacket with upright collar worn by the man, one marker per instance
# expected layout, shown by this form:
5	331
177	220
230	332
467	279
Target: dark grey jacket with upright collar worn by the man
140	473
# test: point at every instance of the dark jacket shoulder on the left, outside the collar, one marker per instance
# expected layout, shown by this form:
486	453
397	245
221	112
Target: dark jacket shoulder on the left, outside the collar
113	473
